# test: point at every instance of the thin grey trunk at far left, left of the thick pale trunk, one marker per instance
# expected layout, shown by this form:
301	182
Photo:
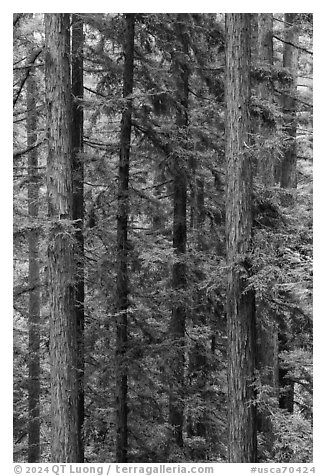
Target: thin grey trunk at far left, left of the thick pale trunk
34	280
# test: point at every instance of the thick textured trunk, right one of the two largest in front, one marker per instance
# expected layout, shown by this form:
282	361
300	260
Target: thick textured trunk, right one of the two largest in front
240	302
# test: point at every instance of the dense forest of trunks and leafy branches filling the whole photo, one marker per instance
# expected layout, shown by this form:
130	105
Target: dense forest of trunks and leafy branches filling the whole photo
162	170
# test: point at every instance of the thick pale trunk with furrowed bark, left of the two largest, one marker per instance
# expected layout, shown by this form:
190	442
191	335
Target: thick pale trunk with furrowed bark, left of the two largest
61	249
